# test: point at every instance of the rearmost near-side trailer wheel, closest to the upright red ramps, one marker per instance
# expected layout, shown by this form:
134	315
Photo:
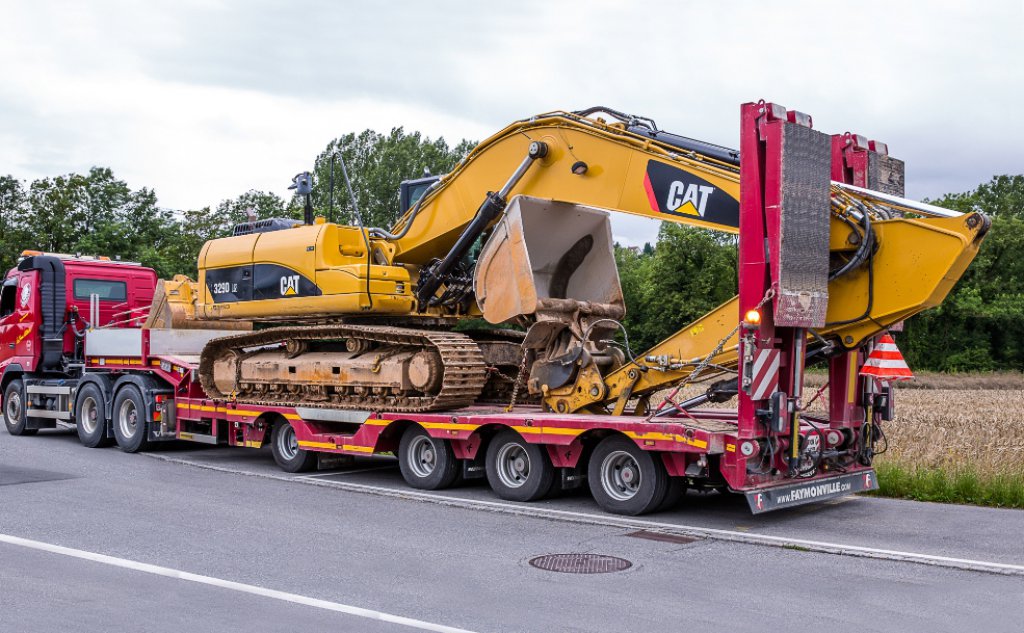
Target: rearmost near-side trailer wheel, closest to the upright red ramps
626	480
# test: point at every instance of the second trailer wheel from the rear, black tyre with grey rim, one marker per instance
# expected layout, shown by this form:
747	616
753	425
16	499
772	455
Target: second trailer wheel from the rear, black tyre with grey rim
519	471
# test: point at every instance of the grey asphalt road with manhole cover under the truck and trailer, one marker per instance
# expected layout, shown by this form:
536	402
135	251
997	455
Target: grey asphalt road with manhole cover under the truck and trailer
335	552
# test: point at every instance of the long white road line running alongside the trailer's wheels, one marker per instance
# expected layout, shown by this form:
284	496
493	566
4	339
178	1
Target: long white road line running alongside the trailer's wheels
615	521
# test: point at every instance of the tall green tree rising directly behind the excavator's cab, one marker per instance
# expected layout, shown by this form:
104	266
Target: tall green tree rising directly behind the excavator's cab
377	164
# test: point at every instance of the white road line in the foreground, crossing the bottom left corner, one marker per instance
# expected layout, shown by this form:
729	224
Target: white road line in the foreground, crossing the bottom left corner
232	585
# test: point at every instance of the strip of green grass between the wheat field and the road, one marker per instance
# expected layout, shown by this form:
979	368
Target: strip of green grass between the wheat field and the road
963	486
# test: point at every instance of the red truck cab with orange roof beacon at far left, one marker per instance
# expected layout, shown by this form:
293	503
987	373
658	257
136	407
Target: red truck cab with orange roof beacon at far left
48	303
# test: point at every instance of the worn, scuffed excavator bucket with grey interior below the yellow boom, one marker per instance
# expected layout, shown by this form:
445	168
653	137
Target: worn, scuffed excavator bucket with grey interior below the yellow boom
547	257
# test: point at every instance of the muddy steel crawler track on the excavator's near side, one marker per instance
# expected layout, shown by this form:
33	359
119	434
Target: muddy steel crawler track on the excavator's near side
465	372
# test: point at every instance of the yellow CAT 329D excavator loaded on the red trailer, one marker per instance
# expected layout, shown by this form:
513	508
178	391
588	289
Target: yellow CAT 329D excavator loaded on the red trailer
519	235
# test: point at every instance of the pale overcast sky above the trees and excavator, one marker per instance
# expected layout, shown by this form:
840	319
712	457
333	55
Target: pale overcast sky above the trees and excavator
203	101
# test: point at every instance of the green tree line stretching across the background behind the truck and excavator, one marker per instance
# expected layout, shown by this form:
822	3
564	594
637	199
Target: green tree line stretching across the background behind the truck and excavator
667	285
